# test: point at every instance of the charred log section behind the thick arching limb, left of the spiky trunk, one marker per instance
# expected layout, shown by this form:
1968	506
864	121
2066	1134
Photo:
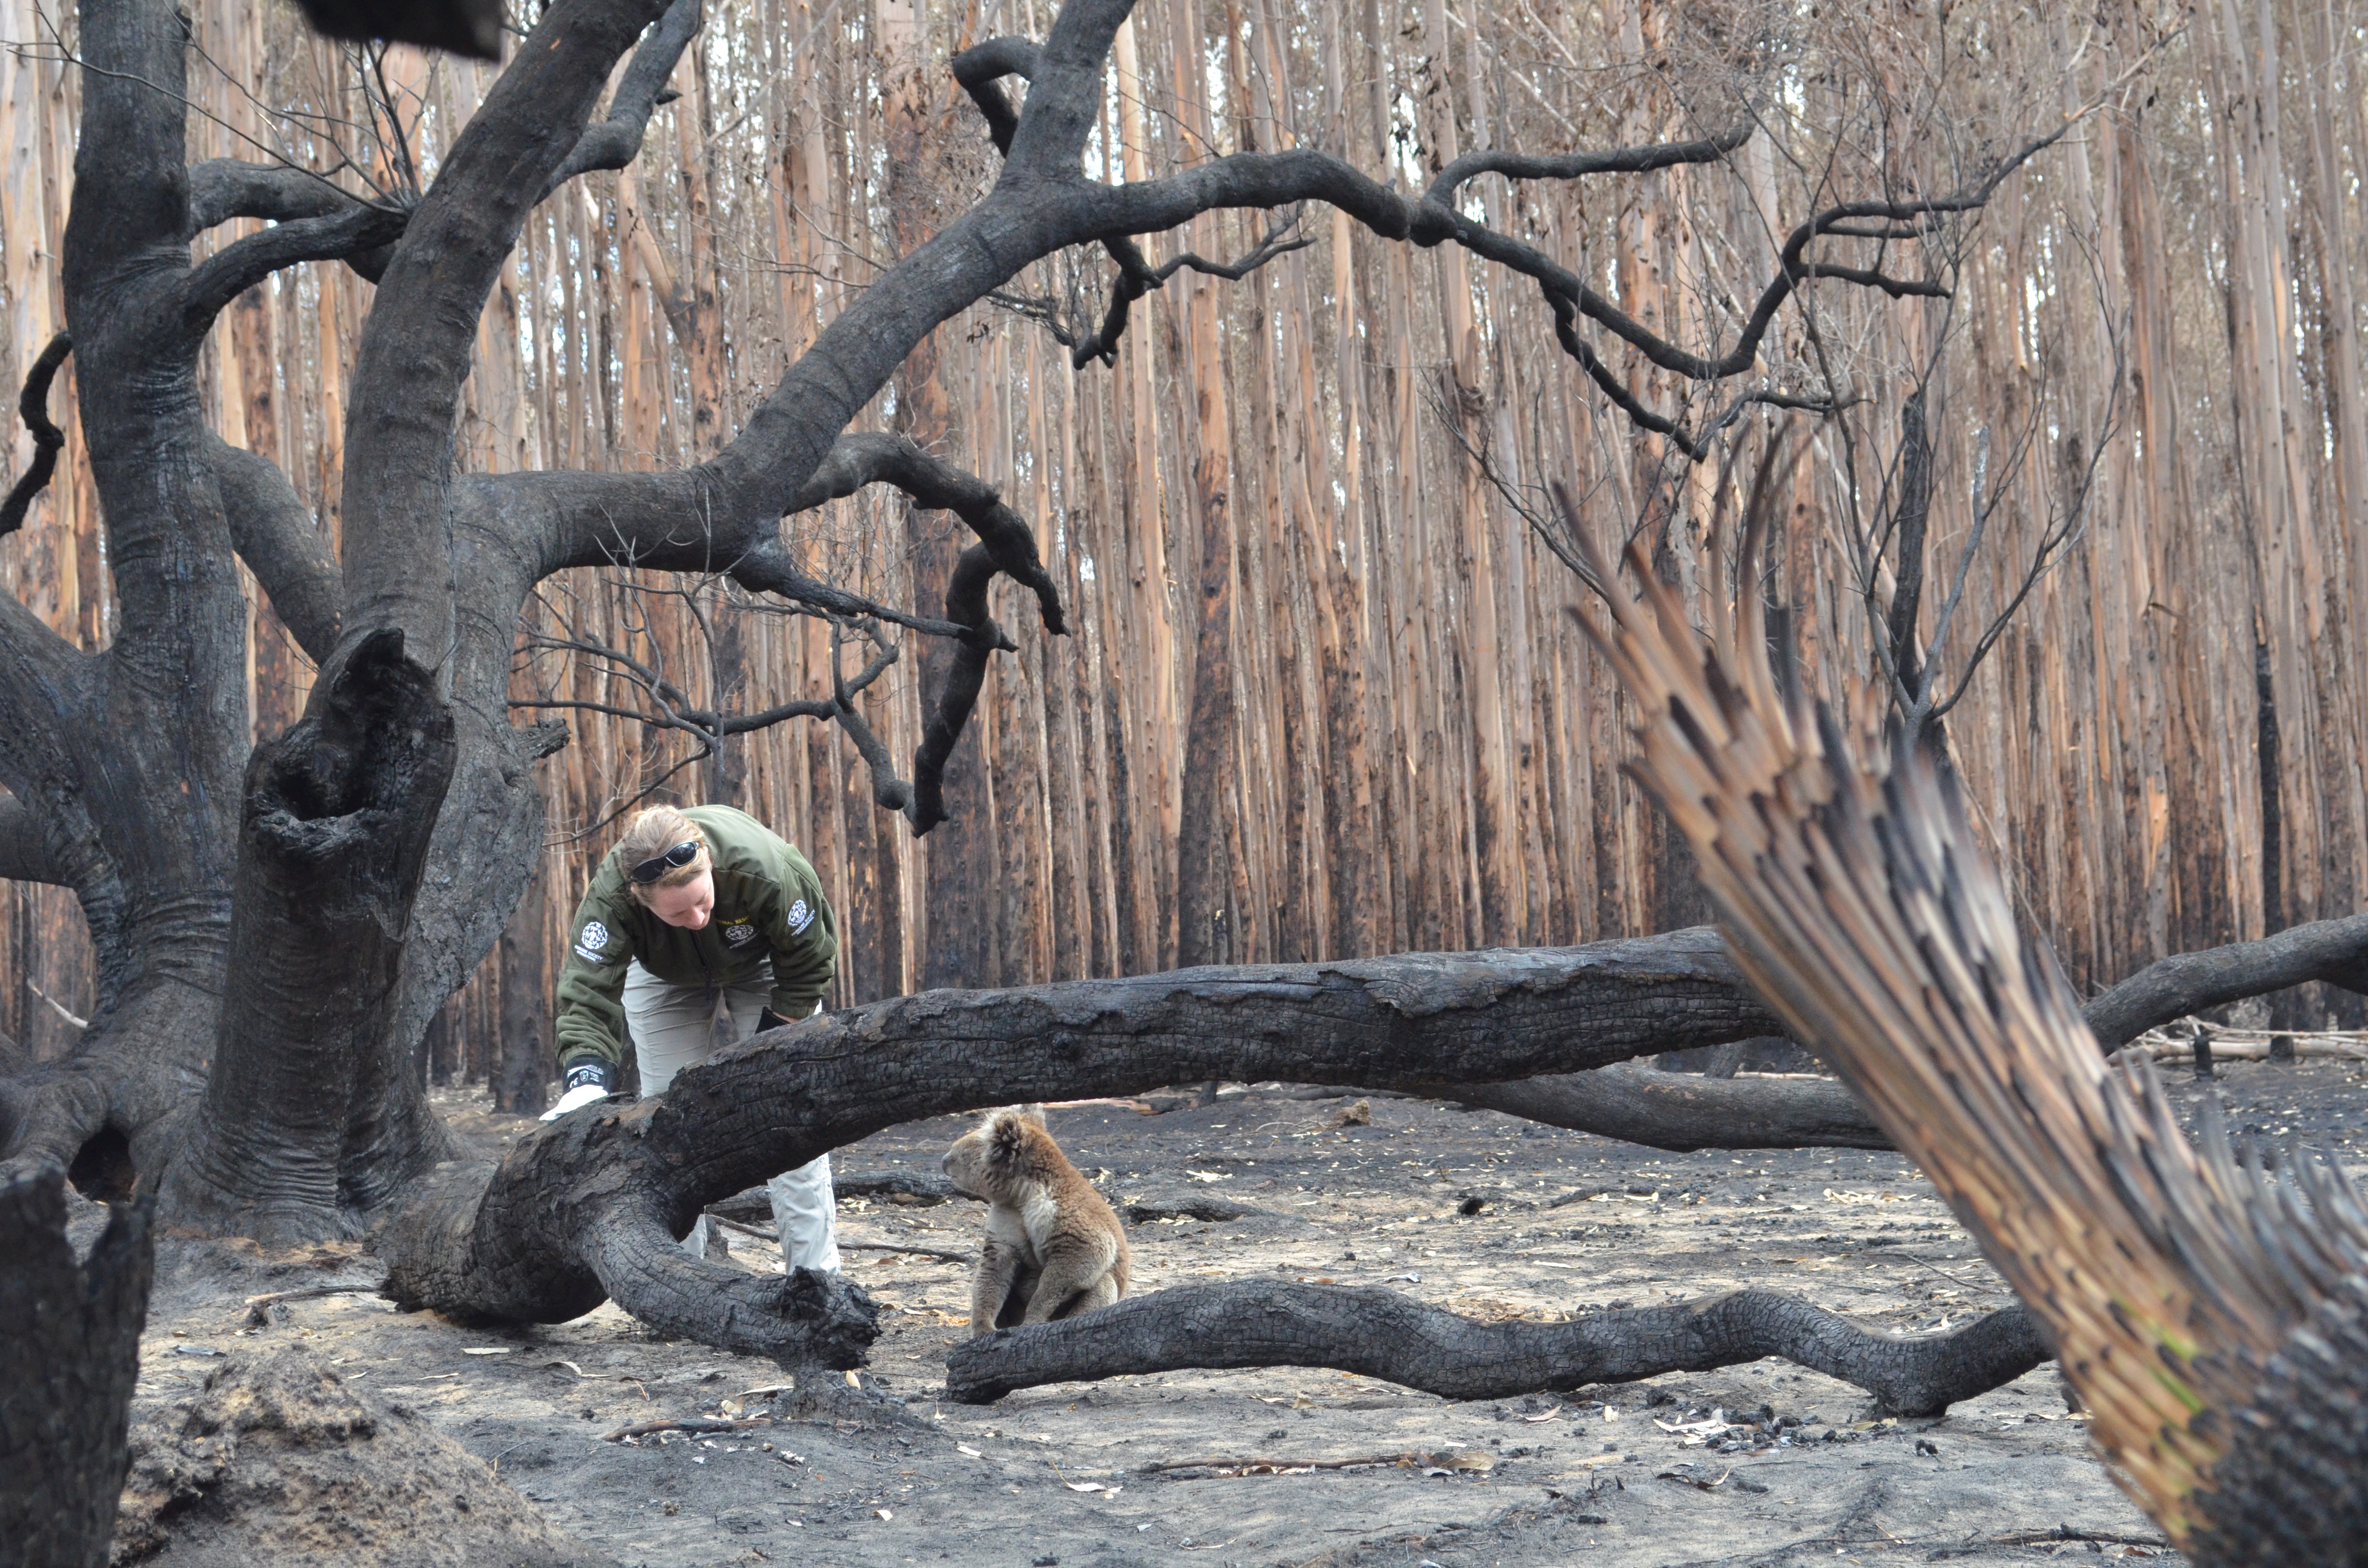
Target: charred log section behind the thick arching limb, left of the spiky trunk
1687	1112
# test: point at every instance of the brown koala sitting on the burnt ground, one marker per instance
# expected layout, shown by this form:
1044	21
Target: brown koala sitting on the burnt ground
1055	1247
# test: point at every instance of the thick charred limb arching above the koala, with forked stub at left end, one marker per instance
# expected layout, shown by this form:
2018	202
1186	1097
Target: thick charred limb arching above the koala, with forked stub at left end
584	1209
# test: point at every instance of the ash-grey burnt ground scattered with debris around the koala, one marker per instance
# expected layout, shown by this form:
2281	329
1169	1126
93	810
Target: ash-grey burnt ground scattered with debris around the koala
1060	1474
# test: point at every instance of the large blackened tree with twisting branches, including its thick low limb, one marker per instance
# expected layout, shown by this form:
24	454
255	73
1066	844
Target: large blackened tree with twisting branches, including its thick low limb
278	925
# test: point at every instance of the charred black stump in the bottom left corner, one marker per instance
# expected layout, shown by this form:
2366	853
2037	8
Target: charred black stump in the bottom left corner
70	1356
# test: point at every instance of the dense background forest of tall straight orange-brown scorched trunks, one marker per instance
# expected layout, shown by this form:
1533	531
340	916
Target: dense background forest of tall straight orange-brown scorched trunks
1292	520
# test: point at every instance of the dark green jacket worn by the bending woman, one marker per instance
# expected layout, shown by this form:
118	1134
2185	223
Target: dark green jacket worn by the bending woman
768	904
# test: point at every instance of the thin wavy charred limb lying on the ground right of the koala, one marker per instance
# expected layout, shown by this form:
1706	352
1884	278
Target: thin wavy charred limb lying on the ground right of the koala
1384	1335
